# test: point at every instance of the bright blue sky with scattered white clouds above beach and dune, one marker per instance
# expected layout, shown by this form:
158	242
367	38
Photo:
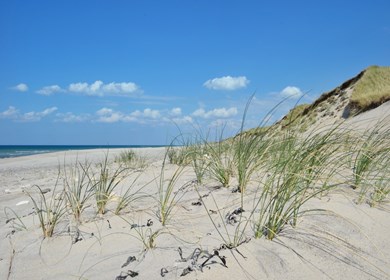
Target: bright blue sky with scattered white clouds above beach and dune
125	72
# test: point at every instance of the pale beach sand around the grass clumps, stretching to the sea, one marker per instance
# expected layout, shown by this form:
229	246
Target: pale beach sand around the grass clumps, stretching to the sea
344	240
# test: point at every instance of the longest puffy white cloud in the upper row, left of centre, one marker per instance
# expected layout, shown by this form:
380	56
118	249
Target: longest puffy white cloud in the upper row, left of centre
99	88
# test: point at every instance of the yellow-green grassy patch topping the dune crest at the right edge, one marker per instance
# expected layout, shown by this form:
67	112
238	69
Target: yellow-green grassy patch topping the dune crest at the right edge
372	89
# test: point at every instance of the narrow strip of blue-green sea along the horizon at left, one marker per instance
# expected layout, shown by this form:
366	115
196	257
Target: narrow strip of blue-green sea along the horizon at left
10	151
